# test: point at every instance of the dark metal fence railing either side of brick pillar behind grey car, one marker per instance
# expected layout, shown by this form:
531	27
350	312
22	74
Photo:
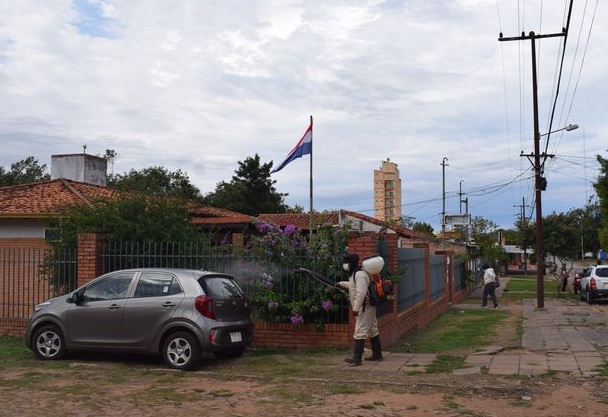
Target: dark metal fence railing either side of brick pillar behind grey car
30	276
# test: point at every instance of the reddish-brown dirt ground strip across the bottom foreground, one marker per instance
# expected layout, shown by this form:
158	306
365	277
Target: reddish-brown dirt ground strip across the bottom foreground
205	395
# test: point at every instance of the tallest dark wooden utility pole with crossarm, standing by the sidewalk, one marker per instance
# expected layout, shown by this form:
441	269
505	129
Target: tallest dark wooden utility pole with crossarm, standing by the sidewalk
539	181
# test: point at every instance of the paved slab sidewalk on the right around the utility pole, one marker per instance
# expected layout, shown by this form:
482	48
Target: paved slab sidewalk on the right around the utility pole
565	336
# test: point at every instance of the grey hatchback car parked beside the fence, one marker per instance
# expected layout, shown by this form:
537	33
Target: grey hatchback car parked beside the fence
177	313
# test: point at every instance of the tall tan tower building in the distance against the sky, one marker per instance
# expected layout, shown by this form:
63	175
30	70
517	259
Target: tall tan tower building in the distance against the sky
387	192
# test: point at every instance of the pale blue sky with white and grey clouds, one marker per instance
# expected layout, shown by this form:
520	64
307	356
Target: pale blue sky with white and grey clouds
199	85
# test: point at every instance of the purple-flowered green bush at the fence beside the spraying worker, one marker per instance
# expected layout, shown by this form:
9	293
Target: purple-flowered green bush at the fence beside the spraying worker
281	293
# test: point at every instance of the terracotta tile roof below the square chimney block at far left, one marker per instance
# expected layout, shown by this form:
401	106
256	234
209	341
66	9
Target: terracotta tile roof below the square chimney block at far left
43	199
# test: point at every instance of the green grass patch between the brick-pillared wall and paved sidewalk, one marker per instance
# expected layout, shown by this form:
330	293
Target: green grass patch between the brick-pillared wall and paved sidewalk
454	330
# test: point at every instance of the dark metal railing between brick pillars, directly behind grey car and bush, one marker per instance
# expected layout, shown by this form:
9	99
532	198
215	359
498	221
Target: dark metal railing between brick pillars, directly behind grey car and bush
278	293
